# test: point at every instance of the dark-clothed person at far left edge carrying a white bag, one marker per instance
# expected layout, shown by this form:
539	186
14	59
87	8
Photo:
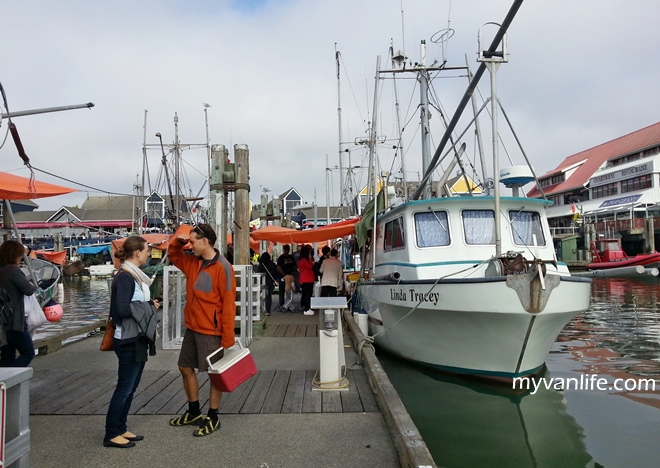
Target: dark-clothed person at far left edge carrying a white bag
13	287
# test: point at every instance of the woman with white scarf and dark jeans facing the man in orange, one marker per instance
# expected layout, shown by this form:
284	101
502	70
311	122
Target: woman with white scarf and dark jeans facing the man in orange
129	285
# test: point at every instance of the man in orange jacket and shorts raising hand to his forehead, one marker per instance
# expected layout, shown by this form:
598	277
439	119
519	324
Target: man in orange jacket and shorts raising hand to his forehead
209	317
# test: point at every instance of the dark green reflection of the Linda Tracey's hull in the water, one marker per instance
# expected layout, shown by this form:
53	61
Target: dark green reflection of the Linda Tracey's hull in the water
467	423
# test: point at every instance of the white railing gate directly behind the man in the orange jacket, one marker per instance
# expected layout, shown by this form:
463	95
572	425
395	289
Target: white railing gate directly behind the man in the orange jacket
249	304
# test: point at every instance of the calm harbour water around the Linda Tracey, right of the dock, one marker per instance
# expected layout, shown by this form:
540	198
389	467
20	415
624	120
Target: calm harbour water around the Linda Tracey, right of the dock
469	424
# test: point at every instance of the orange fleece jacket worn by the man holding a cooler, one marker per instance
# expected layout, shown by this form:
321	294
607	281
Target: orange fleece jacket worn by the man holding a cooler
210	294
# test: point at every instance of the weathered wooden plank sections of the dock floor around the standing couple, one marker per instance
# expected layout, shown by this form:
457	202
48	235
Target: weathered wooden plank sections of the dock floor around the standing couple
68	392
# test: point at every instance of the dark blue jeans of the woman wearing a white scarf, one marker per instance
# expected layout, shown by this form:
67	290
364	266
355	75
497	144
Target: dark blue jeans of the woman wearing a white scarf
128	378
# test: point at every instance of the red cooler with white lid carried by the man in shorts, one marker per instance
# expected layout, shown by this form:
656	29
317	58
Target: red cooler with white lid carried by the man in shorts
234	368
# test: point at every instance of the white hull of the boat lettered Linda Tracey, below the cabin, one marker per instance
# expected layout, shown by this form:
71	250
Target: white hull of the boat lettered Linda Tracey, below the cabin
473	327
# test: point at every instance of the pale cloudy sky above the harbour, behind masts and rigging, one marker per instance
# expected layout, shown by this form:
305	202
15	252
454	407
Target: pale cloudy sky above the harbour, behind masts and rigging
580	73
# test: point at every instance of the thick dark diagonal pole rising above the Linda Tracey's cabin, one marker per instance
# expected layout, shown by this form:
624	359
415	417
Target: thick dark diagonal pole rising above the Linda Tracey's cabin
466	98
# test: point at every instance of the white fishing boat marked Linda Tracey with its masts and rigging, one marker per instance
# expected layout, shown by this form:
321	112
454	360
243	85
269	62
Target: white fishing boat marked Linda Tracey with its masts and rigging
467	284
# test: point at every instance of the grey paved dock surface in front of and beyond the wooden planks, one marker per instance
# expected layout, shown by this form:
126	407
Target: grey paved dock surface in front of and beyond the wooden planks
268	440
